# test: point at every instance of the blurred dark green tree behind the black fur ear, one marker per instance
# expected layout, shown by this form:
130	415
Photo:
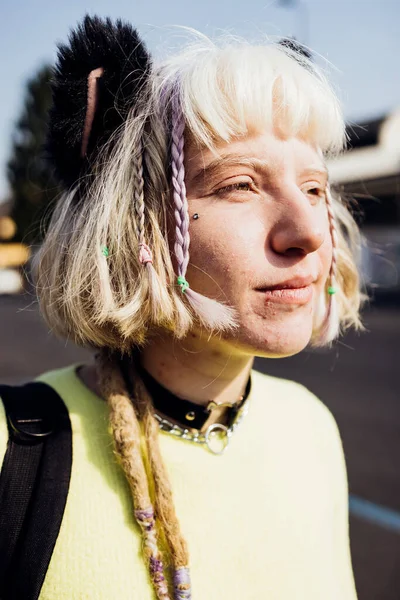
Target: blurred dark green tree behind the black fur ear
32	183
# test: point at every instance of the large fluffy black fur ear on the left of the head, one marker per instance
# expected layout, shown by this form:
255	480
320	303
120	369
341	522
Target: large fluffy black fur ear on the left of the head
125	64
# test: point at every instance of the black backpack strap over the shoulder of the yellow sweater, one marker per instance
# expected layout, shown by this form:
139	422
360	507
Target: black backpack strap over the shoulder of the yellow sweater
34	483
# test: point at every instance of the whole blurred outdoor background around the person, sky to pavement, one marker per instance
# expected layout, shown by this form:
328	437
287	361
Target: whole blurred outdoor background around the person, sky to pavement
358	42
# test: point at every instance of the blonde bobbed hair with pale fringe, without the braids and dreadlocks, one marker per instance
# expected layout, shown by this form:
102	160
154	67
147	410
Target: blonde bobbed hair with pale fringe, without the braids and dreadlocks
225	88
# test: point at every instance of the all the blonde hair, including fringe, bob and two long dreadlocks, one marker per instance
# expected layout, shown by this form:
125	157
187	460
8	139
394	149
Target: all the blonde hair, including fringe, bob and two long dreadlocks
225	88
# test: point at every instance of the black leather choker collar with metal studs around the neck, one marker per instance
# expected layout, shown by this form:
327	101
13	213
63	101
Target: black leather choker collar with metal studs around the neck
184	412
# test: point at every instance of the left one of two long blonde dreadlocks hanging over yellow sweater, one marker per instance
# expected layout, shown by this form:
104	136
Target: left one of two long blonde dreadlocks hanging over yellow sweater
126	432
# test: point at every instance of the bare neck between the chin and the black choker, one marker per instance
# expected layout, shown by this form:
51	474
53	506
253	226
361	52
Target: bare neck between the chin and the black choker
198	369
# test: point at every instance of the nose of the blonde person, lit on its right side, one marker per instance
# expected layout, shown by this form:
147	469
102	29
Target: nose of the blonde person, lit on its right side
301	225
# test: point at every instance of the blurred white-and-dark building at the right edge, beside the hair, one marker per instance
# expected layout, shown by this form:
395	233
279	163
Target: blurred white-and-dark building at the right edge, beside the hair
369	172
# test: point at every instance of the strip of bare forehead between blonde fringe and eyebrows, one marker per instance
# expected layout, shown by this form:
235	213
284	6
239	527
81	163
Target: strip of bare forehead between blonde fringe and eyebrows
271	151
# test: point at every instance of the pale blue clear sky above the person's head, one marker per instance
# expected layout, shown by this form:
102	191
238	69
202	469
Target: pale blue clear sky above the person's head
358	42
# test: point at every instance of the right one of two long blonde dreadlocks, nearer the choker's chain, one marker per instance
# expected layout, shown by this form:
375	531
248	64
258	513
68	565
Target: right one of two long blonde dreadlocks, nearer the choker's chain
163	494
